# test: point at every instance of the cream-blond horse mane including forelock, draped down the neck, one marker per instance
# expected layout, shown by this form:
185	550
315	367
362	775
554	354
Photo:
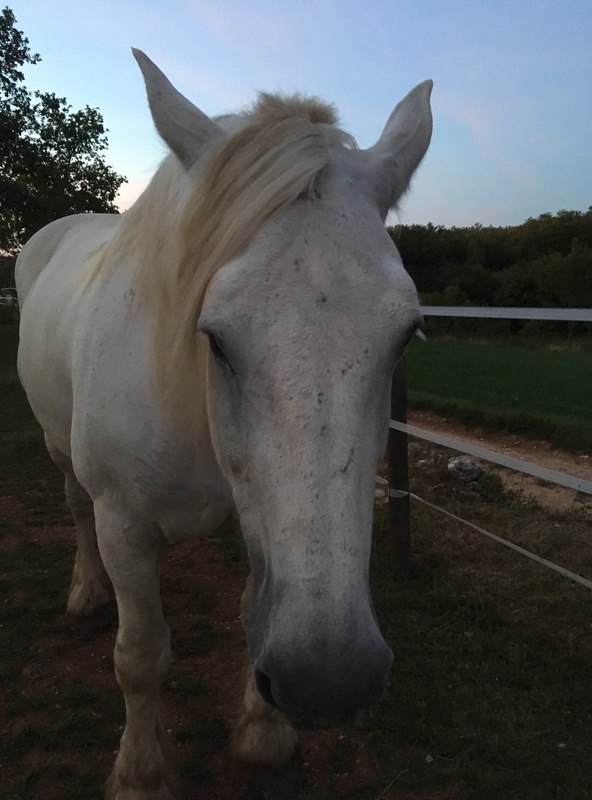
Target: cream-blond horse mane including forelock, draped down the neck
188	224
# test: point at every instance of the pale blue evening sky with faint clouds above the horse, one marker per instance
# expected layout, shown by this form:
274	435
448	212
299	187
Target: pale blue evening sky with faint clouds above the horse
512	99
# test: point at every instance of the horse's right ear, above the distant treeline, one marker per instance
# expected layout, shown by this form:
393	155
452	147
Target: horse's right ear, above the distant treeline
401	147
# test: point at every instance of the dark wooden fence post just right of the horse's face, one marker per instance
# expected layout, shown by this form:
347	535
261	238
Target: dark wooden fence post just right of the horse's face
398	476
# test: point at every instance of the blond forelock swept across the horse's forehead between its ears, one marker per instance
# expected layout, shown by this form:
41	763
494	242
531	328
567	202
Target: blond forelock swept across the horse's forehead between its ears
271	161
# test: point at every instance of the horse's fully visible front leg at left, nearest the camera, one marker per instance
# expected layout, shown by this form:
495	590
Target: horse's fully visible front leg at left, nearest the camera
142	654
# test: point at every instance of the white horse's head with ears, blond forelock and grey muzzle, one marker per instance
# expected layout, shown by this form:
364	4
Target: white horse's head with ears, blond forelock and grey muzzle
304	314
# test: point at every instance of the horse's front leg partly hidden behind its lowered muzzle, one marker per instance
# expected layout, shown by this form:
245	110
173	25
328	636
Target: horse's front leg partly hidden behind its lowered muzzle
262	735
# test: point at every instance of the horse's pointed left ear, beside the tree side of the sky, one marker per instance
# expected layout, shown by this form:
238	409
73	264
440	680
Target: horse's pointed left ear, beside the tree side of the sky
186	129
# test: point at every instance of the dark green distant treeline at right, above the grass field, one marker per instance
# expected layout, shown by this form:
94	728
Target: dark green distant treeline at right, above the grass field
545	262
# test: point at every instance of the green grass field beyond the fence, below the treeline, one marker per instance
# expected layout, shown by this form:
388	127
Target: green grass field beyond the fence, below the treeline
533	390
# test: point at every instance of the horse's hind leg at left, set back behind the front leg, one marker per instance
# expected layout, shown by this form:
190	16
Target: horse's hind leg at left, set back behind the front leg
89	597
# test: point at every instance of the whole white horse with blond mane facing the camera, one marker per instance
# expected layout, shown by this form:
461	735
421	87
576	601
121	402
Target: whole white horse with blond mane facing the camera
227	343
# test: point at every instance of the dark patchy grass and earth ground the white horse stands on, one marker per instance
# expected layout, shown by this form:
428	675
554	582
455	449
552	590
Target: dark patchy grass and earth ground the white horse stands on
490	694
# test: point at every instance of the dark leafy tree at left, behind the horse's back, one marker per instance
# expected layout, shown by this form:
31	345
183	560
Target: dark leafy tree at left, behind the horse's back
51	161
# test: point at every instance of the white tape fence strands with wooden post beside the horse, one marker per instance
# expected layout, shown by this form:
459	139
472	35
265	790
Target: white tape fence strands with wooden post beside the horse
397	453
